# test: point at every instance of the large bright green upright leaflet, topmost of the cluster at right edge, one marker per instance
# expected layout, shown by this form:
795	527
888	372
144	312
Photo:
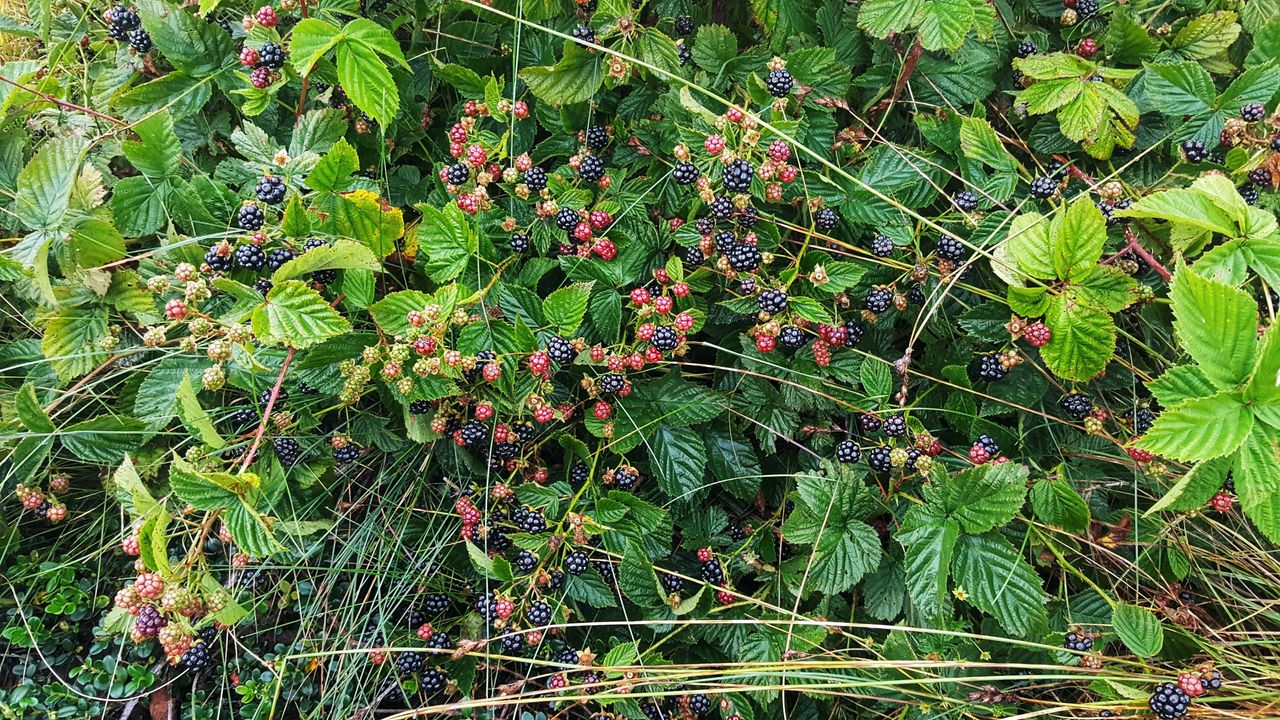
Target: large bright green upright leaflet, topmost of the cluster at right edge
1217	325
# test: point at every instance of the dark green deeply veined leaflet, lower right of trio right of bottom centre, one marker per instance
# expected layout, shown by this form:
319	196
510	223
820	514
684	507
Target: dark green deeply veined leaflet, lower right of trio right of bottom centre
1000	582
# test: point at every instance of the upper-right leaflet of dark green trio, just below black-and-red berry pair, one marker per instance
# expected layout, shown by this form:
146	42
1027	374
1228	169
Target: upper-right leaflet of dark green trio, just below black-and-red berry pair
986	496
